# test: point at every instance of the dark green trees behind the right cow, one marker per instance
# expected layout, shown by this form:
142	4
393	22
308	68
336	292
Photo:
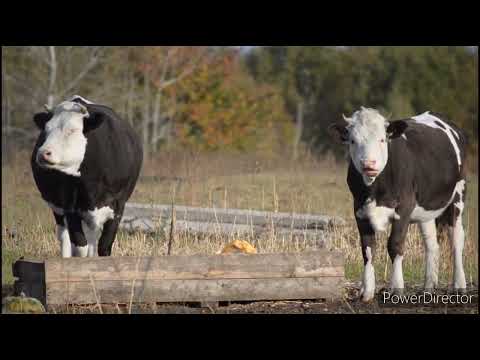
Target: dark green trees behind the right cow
320	83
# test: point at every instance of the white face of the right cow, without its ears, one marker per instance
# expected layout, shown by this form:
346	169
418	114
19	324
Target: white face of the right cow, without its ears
368	141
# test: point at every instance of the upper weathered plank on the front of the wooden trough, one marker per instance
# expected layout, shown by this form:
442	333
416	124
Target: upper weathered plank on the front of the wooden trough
233	266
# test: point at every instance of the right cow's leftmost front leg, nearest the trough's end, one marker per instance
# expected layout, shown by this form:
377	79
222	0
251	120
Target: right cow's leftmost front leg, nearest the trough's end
367	239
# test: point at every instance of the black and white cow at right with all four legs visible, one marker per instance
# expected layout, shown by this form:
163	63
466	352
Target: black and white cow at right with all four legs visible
401	172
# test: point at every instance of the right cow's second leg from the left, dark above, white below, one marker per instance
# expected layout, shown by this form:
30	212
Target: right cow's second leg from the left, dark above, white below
396	243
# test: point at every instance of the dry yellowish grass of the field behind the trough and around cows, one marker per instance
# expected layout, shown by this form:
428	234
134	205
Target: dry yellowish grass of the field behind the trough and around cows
307	186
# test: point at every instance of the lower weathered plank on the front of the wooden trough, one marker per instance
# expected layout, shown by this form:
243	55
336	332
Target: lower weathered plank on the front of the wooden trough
193	290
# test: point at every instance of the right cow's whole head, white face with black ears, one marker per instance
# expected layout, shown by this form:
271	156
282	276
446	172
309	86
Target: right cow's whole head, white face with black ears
367	134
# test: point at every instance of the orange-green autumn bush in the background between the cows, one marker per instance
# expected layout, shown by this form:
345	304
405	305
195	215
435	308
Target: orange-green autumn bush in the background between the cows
223	108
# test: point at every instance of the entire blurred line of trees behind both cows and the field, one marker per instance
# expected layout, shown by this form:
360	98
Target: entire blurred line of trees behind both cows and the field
269	99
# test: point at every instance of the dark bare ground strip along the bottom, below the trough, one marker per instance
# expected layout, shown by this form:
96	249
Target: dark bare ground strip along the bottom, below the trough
350	304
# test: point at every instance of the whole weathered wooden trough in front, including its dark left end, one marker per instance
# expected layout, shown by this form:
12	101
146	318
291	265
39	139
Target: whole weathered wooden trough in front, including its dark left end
202	278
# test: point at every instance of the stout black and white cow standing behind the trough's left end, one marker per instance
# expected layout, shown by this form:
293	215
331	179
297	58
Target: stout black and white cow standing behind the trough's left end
85	163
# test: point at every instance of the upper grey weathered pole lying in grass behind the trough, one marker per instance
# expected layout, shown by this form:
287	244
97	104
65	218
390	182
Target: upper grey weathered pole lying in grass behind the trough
233	216
